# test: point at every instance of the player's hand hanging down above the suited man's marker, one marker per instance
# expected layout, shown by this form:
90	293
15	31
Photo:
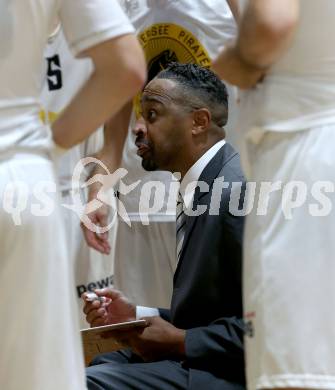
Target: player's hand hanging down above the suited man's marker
99	217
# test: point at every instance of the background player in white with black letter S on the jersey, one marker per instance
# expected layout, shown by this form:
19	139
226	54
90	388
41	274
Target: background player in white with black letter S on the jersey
64	76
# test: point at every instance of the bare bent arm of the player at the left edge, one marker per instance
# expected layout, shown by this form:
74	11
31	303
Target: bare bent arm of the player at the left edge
119	73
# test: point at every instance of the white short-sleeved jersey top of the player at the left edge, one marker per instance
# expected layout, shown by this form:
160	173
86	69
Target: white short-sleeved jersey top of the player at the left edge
26	26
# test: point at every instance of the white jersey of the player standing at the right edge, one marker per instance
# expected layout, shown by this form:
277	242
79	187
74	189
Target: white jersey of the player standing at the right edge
299	90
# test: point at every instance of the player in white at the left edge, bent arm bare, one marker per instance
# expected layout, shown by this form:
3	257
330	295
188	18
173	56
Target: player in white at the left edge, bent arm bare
40	346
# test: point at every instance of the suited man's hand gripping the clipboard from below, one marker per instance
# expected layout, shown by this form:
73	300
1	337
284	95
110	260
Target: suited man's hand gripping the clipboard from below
159	340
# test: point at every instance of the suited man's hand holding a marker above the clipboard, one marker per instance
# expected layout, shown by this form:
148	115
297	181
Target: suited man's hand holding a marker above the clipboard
116	308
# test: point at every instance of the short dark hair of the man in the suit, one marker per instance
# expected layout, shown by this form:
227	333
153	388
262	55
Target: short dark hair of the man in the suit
201	88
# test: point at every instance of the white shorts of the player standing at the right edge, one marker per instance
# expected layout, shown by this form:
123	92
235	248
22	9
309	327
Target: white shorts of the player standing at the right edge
289	262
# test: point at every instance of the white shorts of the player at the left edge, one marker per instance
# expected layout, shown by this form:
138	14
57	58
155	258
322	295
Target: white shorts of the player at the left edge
39	338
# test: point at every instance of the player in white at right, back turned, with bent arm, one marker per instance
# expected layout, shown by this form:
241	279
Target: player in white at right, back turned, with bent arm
285	58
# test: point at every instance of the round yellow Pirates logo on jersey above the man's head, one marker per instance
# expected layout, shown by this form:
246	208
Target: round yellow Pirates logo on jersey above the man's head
164	43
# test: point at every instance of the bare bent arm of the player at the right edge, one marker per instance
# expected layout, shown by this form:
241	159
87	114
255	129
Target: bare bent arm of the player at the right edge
265	31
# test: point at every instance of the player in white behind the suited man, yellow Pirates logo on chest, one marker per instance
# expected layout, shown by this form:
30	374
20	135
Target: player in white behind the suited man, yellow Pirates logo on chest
184	31
